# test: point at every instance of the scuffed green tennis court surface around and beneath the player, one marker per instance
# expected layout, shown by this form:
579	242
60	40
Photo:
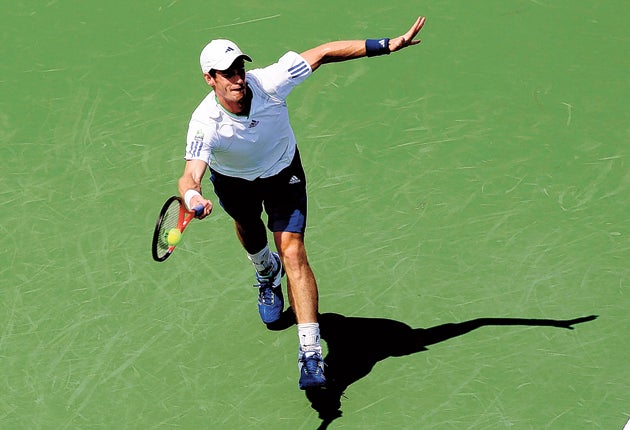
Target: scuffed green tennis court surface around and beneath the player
481	174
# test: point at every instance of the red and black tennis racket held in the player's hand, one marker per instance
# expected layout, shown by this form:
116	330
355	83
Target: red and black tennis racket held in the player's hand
174	215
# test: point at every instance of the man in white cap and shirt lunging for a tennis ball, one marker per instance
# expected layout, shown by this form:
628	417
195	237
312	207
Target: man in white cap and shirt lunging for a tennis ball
241	133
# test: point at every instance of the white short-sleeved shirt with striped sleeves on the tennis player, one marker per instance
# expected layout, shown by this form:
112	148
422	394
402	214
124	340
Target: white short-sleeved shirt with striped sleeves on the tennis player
255	146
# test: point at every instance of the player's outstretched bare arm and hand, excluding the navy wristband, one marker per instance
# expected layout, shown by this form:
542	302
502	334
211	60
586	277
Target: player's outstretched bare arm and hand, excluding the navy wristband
344	50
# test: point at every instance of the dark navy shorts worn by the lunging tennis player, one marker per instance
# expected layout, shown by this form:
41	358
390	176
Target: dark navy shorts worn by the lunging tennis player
283	197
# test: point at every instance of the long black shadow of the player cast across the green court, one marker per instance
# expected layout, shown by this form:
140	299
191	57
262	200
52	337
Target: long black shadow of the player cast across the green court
356	344
